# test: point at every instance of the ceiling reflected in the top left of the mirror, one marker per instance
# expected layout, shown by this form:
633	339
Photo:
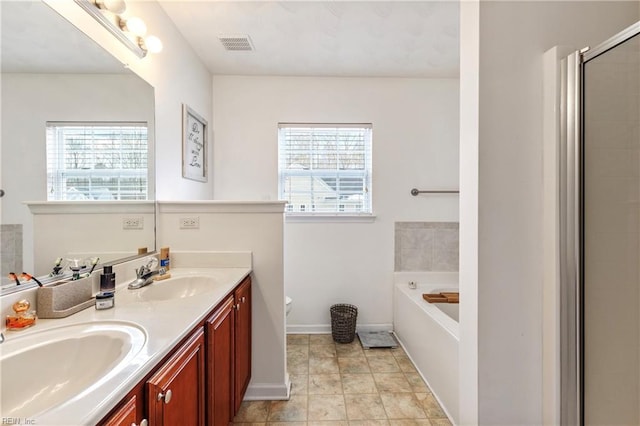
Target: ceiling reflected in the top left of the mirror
35	39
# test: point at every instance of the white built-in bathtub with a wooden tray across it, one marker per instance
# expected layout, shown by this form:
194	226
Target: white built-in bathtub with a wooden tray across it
430	336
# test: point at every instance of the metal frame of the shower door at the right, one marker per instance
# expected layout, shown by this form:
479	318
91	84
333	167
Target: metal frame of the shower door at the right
571	238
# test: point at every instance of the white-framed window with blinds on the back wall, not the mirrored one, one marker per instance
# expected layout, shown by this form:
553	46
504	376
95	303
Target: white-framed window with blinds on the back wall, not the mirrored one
359	208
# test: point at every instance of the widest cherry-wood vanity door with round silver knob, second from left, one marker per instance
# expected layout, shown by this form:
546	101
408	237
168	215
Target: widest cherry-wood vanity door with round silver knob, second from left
175	393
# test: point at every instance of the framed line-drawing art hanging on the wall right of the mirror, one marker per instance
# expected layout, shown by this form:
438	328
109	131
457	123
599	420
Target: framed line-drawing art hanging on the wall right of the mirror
194	145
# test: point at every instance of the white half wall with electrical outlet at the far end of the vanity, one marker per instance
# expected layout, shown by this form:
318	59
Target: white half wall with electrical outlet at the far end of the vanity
244	226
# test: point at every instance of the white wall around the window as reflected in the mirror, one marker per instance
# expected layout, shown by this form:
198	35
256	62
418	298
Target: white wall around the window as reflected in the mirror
28	102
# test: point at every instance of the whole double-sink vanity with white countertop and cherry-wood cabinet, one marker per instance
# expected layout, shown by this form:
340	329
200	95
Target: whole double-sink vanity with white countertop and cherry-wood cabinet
177	351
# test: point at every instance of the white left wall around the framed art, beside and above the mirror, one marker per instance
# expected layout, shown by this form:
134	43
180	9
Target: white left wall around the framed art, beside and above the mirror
178	76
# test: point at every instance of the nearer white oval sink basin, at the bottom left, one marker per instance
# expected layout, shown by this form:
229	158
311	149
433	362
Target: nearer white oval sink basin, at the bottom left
43	369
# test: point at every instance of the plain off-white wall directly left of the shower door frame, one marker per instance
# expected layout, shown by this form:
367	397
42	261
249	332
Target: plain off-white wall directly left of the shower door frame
512	39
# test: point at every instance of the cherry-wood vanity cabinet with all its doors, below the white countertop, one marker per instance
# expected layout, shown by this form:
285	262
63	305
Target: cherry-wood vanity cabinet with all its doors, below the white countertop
207	373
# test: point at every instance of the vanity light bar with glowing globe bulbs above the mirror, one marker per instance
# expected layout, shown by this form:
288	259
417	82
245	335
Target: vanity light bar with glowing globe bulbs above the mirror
130	31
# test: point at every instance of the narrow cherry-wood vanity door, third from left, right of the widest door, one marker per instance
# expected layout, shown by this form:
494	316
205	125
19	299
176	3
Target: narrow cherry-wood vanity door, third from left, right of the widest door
219	330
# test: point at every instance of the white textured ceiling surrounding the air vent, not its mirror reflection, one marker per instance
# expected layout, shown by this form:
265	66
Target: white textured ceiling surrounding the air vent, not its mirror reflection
324	38
